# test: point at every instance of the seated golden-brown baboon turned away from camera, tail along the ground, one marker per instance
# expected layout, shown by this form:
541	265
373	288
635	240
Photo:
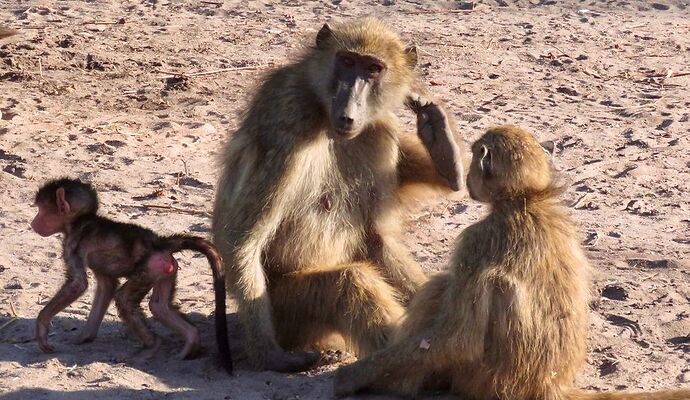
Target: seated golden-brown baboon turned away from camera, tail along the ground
508	321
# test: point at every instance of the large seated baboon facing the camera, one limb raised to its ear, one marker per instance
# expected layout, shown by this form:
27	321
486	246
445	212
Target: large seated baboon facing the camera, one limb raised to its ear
306	213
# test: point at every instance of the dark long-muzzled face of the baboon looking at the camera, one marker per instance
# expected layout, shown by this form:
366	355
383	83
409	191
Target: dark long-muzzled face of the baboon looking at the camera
356	79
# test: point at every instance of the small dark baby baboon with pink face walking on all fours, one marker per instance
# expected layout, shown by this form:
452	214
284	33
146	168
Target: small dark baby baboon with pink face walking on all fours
114	250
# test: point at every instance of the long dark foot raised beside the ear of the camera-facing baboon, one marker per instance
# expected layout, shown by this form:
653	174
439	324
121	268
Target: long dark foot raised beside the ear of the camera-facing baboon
433	128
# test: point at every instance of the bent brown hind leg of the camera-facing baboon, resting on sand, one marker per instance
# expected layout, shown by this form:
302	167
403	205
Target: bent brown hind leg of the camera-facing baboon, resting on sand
353	300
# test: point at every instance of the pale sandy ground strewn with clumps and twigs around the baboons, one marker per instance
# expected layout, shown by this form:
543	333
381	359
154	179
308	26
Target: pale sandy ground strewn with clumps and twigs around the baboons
85	98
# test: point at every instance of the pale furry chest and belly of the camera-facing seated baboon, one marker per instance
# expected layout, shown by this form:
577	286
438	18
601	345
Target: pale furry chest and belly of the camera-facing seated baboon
337	199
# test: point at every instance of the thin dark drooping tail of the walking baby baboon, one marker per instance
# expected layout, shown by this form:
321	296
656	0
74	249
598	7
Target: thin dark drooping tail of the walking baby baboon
187	242
